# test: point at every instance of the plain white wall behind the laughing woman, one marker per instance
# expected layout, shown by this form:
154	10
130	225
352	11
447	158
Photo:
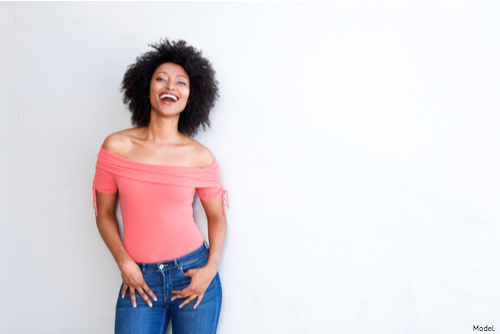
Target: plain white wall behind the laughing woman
359	143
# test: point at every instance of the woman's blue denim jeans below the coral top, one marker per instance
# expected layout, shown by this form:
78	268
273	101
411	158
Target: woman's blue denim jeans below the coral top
162	278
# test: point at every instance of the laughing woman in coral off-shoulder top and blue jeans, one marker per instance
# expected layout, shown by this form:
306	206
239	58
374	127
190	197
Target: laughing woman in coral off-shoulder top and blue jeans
167	269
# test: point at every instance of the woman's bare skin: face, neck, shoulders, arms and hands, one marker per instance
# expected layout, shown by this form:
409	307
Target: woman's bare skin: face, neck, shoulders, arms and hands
161	143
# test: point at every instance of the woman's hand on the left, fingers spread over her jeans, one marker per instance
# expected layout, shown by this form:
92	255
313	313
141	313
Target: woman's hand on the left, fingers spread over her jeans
133	280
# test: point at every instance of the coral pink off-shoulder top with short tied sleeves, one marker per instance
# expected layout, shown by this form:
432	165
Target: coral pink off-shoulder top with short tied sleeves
156	203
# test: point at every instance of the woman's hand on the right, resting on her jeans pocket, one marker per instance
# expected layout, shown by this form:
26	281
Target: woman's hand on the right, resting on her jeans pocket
200	280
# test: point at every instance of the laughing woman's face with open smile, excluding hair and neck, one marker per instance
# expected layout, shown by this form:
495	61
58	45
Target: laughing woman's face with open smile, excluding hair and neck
169	89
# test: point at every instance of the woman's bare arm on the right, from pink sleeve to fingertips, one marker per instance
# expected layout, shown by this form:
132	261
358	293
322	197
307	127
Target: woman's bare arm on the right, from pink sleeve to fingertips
202	277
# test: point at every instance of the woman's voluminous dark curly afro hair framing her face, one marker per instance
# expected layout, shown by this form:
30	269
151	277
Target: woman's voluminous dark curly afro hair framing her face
203	85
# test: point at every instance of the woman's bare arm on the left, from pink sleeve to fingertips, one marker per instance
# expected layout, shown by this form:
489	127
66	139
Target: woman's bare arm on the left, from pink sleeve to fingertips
108	228
